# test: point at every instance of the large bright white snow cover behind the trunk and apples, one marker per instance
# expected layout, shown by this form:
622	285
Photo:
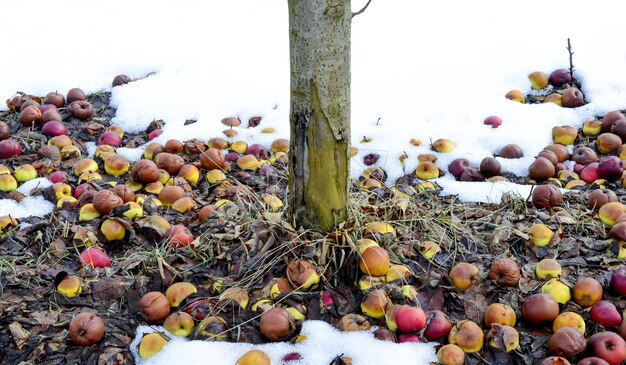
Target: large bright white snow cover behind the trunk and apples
423	70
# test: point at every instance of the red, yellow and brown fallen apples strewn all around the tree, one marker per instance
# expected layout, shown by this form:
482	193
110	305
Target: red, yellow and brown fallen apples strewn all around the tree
178	198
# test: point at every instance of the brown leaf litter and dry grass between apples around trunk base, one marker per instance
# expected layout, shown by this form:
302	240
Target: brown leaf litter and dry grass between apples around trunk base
246	244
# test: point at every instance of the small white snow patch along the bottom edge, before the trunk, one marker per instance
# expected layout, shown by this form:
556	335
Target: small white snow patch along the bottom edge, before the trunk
322	344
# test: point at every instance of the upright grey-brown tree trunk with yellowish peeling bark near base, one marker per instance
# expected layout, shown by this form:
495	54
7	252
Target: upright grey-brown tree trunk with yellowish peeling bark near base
319	43
